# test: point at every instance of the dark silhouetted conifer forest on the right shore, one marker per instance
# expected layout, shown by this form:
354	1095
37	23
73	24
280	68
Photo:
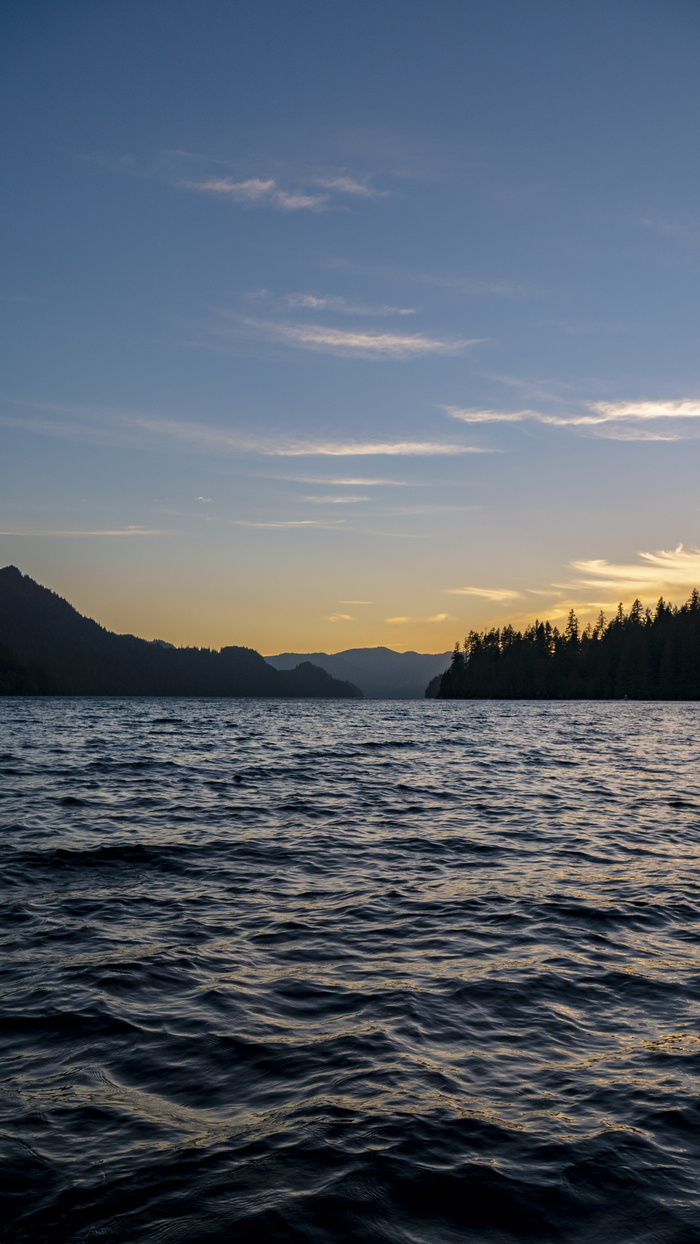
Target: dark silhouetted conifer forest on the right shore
642	655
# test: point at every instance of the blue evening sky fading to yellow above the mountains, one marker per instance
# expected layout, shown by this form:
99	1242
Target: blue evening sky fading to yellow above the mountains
350	323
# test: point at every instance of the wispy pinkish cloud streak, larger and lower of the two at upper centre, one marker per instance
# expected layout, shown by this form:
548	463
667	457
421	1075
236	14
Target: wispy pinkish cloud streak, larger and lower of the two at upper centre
367	345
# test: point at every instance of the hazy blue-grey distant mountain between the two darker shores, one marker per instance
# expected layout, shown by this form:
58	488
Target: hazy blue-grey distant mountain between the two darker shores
381	674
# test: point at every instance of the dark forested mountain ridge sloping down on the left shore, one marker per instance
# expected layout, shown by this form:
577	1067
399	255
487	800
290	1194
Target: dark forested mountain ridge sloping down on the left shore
48	648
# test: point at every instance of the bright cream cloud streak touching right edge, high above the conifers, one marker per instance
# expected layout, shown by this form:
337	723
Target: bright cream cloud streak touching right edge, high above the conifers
620	421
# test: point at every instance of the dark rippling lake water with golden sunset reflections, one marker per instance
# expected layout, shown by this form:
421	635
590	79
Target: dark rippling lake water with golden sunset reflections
410	973
